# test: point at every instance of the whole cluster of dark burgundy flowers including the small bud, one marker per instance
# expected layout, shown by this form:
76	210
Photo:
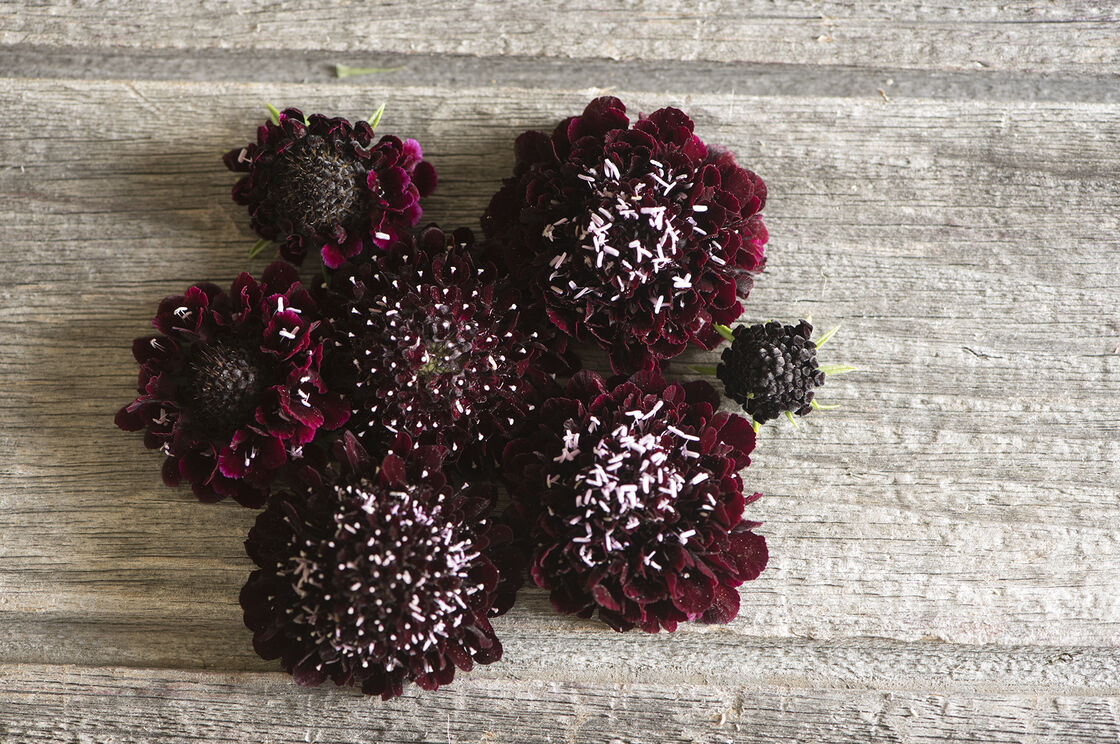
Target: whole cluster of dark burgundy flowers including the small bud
377	414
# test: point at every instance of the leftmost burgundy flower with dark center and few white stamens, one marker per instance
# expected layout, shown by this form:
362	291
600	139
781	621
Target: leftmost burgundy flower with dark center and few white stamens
232	390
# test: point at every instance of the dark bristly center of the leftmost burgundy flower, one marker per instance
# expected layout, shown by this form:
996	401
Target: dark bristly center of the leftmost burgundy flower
225	384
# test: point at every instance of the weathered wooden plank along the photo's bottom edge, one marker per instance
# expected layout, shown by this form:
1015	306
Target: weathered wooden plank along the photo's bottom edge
69	704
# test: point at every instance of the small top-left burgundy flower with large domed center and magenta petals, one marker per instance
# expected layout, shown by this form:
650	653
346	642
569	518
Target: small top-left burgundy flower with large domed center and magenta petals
325	185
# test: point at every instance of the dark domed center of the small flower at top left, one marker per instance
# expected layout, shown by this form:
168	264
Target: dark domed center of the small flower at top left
315	187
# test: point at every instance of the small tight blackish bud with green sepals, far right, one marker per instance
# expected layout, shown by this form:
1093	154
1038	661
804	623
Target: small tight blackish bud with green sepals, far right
771	369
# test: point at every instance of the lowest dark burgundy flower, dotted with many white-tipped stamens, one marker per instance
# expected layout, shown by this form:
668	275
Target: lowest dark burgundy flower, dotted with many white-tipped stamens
377	582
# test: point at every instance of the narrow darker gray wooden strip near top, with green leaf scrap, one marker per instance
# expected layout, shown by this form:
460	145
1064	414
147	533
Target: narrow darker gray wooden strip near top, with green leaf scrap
666	79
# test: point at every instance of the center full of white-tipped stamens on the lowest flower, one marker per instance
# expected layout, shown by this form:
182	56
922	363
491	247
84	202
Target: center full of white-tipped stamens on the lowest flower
395	576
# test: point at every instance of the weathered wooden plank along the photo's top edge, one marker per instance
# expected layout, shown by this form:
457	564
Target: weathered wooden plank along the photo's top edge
1026	35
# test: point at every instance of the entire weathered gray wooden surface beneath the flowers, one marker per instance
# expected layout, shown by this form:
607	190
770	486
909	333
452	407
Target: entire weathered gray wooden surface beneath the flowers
945	183
